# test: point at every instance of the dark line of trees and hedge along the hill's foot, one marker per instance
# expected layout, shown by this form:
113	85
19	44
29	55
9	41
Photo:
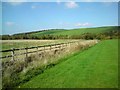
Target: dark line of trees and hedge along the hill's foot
106	35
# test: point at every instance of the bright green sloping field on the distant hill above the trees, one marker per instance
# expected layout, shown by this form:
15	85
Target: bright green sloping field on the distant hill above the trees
76	31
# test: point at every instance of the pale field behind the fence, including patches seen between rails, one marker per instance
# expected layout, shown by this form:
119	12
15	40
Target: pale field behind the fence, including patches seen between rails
9	44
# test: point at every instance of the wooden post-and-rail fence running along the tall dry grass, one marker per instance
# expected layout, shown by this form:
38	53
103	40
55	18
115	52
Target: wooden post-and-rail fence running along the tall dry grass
37	49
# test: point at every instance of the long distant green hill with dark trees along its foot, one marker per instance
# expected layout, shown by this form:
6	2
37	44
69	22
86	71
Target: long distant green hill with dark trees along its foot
80	33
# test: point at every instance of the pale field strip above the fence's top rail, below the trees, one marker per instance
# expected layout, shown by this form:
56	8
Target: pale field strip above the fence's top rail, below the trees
8	44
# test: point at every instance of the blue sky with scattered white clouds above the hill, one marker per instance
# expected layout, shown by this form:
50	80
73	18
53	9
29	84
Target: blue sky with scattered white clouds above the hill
18	17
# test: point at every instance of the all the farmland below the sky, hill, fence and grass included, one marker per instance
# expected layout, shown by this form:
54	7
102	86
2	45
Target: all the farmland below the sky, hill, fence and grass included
53	59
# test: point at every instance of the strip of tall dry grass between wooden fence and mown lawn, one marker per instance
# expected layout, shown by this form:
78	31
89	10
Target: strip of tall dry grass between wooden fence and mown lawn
20	71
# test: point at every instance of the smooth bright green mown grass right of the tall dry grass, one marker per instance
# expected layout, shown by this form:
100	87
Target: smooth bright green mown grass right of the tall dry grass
96	67
